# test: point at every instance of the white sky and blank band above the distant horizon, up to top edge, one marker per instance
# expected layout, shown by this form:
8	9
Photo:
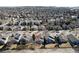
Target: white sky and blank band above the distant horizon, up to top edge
58	3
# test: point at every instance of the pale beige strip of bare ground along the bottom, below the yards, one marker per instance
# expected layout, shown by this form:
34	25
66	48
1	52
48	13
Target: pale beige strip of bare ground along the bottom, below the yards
54	50
